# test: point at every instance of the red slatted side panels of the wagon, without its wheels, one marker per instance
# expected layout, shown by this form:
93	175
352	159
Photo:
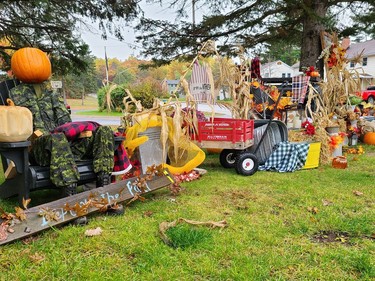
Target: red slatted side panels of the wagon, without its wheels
225	129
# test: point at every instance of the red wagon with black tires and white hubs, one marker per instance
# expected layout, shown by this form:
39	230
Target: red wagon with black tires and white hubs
234	136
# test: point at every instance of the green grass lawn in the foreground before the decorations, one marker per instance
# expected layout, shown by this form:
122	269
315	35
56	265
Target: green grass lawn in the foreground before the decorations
305	225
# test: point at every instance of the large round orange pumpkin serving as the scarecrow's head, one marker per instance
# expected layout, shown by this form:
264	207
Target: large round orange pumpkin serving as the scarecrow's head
31	65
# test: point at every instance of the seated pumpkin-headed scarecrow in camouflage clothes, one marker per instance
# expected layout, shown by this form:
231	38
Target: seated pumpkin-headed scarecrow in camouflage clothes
59	145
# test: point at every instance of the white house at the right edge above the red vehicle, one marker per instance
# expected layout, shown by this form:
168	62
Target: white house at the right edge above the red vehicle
366	67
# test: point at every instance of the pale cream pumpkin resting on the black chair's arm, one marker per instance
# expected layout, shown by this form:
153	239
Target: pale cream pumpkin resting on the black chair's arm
16	123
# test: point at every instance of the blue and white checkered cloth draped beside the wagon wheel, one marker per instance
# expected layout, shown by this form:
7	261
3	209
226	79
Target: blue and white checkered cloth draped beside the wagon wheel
286	157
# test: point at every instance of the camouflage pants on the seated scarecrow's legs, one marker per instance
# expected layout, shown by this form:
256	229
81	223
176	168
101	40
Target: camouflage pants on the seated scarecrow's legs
55	151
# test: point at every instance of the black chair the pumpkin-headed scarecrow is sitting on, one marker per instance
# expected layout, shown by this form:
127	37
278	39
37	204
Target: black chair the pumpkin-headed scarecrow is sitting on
29	177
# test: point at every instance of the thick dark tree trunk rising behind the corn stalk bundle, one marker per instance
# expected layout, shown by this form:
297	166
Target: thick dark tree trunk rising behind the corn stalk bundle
311	46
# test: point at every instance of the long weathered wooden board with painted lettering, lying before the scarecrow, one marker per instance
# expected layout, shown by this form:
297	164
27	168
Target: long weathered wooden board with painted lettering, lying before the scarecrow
114	193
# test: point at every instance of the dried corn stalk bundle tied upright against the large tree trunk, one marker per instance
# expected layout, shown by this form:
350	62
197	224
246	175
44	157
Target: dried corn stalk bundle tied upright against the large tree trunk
331	104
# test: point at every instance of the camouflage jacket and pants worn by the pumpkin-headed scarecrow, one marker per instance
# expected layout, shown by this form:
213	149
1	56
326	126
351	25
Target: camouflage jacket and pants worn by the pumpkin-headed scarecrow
55	150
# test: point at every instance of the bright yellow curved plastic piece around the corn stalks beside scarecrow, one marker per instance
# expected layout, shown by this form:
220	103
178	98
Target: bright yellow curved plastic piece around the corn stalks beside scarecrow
189	155
